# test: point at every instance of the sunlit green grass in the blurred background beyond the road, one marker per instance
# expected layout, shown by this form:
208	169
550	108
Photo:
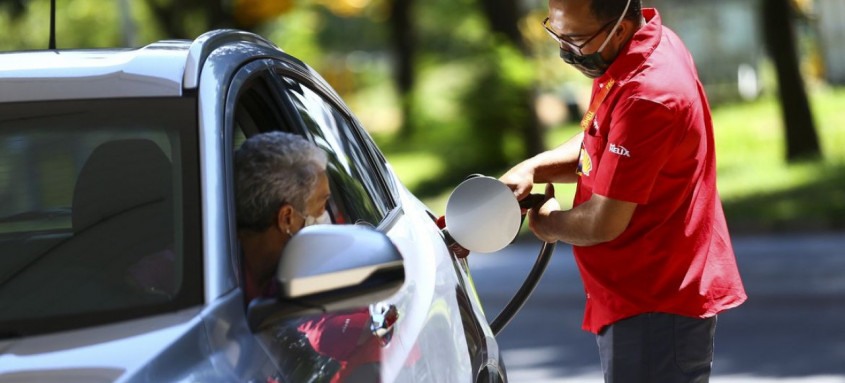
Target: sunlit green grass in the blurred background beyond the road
760	191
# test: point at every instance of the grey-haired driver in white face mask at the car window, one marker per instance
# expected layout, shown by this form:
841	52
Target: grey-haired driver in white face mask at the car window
281	186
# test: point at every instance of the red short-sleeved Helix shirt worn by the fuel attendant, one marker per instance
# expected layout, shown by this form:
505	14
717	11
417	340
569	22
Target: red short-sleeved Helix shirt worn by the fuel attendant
651	143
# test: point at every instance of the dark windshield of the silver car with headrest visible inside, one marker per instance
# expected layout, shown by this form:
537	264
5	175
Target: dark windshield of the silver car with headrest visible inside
99	212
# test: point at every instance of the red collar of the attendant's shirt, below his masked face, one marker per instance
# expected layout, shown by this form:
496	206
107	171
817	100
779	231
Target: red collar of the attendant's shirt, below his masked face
637	49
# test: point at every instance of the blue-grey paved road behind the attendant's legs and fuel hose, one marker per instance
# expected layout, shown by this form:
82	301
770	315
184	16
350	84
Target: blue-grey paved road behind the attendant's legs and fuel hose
792	328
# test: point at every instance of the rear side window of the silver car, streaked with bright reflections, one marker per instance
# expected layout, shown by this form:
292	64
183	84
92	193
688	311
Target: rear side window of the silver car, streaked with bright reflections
354	188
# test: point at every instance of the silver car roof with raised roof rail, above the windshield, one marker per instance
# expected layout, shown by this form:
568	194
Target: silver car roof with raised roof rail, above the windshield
161	69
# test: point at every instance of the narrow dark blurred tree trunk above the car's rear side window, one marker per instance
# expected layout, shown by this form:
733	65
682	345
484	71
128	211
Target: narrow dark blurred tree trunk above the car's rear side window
404	41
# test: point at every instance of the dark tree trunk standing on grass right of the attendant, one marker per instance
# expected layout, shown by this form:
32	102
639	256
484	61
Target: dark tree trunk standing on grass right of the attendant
801	139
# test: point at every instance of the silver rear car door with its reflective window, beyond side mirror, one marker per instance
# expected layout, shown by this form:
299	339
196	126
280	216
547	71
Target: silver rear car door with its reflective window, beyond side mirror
427	341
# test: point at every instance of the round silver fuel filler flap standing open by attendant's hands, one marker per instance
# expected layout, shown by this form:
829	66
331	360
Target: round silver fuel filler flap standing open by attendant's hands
483	215
